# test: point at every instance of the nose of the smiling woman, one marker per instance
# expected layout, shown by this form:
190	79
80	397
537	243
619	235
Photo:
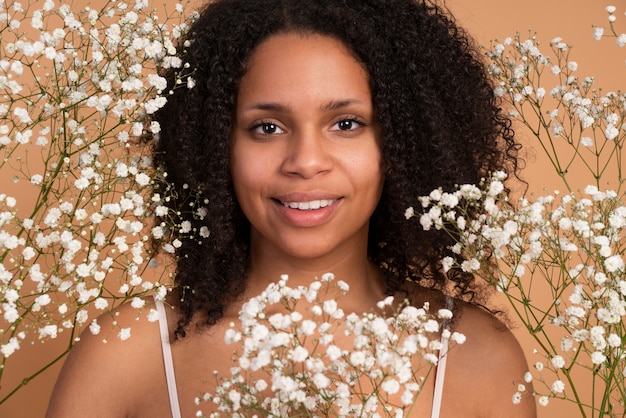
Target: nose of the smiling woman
308	154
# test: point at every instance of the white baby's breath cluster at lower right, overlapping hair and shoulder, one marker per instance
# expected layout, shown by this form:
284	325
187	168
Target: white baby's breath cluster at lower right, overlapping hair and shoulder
568	248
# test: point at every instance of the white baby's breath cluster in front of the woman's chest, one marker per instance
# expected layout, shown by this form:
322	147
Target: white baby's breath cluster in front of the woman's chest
298	354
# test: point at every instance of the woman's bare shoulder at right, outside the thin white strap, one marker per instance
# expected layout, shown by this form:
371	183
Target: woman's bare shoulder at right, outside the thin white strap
492	362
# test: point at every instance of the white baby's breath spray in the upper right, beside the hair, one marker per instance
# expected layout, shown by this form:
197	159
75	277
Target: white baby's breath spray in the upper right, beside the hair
579	128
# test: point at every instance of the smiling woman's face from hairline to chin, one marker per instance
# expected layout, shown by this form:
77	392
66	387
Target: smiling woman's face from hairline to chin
305	157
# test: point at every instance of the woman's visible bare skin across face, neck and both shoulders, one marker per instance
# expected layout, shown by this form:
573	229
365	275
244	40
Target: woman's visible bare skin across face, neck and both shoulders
307	171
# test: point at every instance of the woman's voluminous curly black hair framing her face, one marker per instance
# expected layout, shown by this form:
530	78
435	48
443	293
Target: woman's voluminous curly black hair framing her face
440	126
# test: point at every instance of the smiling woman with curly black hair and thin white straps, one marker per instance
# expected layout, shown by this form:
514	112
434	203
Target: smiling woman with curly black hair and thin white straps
311	128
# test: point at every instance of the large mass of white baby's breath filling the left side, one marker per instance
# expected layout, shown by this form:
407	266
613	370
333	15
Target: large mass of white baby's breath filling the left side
77	87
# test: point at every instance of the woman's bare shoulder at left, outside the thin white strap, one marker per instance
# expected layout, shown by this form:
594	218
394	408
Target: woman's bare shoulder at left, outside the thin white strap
104	373
